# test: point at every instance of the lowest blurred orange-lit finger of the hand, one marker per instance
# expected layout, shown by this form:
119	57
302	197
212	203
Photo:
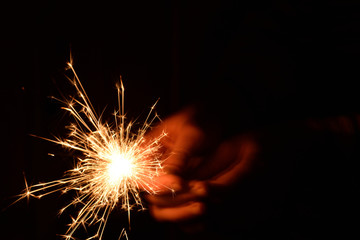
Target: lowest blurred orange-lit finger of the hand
178	213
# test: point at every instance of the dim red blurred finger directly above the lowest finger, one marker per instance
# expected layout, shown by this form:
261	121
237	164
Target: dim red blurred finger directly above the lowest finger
196	191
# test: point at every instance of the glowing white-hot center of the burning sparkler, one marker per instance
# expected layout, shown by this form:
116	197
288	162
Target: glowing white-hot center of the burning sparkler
119	167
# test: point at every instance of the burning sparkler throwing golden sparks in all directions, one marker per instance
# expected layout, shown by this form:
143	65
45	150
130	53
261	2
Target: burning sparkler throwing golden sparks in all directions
116	164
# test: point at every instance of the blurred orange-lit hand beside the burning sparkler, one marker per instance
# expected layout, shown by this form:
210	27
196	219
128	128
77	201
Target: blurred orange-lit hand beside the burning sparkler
196	168
